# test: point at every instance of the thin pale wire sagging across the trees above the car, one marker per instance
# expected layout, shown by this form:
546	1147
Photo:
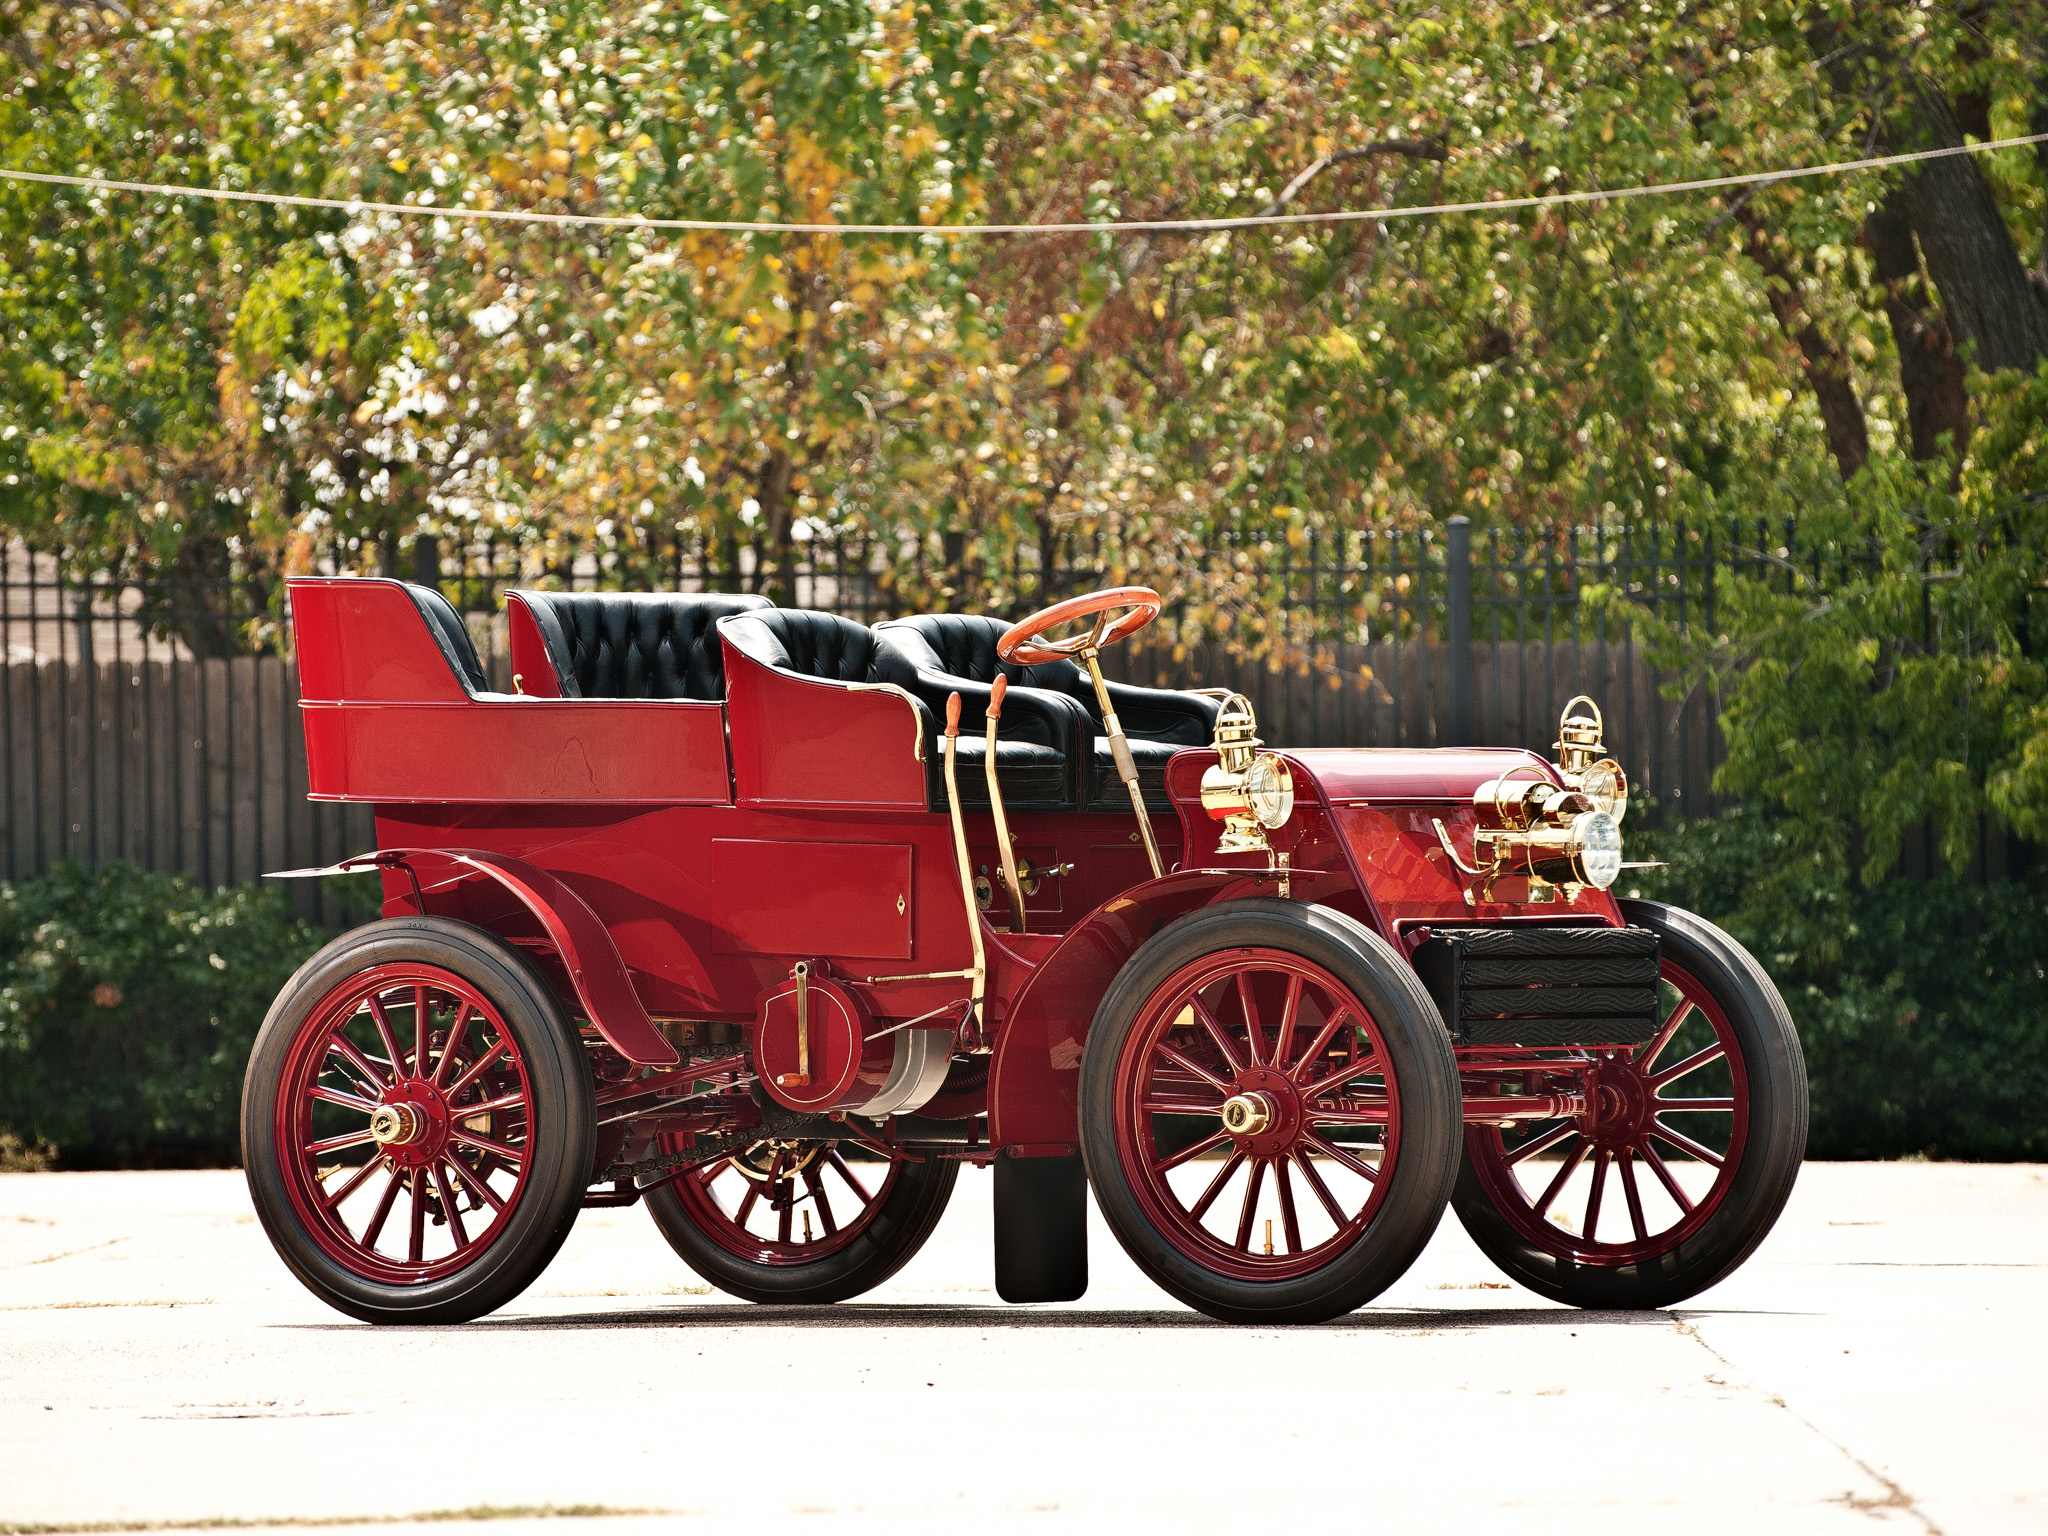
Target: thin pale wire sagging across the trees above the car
1019	230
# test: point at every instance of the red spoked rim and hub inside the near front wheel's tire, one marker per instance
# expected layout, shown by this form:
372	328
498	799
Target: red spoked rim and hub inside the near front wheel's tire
1281	1078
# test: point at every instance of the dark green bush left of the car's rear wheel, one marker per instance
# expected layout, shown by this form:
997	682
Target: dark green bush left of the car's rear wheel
128	1007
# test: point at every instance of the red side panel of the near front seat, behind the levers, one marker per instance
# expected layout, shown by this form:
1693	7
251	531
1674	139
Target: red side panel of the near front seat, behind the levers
816	744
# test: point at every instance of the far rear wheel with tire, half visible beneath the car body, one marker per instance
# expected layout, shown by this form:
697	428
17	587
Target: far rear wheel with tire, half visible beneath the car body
802	1222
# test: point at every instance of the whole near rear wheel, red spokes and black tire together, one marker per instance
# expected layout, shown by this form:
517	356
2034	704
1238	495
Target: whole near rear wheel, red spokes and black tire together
417	1123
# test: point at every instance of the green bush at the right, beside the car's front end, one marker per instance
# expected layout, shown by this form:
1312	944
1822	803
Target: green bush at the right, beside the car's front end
1922	1005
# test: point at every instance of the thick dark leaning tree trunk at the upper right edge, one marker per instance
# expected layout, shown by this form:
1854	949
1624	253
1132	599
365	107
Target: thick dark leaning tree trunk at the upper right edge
1969	251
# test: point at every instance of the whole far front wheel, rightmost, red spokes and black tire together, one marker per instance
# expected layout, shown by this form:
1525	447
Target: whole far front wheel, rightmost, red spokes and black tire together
1684	1158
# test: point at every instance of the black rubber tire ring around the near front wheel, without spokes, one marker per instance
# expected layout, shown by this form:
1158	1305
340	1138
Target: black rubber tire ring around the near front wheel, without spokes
1426	1076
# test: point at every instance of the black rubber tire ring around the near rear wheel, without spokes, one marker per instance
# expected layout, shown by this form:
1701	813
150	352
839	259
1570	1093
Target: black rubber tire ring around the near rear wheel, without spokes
562	1138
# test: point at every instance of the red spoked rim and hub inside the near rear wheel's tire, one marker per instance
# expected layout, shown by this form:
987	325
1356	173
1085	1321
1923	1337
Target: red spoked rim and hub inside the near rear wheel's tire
402	1123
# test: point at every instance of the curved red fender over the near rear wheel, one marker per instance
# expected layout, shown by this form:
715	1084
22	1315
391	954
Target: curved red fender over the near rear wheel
587	951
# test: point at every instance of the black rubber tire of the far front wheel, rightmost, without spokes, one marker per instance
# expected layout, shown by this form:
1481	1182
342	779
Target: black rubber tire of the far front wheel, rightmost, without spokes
1773	1154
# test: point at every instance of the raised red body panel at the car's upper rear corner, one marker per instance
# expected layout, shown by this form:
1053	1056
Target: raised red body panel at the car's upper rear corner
364	638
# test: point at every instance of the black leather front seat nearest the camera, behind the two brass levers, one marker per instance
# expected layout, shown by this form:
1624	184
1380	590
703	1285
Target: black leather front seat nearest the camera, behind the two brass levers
1031	767
